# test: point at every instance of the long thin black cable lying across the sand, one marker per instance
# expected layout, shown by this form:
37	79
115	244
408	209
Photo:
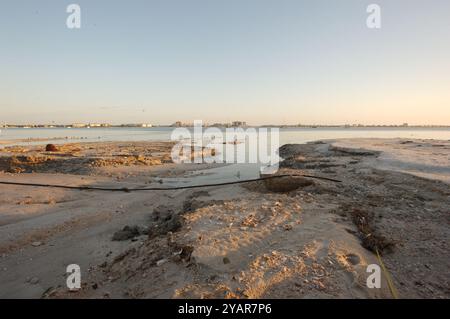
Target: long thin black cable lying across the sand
125	189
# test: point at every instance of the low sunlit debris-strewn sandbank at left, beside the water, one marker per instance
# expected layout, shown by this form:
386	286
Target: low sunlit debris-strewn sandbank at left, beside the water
83	158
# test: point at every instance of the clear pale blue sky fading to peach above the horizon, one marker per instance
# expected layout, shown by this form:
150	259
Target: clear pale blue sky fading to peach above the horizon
261	61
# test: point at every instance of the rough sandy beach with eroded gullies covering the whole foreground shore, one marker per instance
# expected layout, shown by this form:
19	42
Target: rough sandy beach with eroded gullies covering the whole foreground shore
235	241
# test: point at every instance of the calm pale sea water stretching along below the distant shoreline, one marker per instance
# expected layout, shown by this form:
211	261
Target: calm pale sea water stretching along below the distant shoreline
287	135
